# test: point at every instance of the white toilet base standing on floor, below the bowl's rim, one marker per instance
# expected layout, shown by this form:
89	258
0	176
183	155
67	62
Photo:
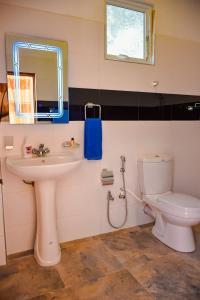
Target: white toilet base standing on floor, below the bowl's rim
179	238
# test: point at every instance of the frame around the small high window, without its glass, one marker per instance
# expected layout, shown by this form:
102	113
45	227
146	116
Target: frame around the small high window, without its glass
148	10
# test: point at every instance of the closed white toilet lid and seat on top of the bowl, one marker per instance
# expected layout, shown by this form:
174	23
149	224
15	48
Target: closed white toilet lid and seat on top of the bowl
181	205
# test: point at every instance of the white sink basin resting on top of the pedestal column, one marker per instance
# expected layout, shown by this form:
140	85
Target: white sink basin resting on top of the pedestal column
42	168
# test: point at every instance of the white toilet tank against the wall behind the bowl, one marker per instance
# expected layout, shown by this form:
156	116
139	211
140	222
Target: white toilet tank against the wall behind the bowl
155	174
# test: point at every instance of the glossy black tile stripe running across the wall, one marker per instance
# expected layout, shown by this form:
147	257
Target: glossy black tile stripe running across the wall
126	105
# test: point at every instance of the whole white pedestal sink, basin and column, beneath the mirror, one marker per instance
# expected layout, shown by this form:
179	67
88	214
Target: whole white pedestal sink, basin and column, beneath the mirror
44	171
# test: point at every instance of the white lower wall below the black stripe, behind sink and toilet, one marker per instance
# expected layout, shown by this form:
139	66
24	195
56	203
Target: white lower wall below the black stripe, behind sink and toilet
81	199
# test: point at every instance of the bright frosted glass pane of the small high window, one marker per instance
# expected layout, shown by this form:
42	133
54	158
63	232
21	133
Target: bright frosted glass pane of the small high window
125	32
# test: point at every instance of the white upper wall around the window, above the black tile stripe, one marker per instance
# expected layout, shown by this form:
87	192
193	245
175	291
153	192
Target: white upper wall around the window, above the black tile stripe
177	57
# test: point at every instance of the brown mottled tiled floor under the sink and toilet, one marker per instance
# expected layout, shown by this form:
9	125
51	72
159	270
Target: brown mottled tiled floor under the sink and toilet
123	265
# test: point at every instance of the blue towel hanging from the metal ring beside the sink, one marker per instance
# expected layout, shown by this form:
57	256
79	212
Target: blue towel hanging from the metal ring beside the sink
93	139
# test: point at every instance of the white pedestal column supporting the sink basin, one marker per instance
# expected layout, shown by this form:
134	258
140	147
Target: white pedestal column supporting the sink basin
47	249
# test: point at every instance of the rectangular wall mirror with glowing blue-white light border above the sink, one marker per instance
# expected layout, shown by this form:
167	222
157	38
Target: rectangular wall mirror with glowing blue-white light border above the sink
37	80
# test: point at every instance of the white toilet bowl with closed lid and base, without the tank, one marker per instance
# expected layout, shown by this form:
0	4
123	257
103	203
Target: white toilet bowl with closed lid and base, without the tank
175	214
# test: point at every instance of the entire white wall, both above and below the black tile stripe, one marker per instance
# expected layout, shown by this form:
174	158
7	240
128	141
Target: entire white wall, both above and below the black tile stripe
81	199
